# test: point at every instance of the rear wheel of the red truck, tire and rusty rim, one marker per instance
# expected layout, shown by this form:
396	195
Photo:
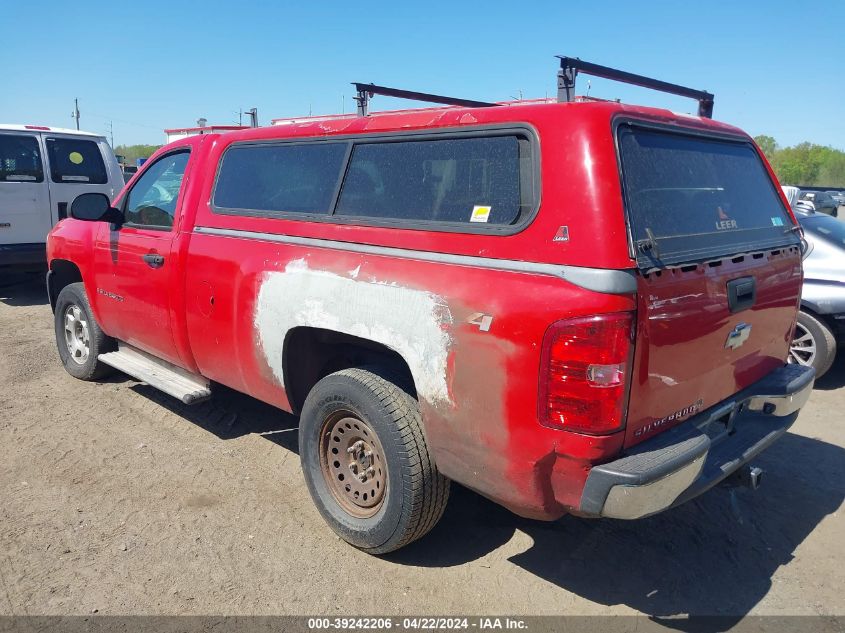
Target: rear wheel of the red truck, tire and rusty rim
366	462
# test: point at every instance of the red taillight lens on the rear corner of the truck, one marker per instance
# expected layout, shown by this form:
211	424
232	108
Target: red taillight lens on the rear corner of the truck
584	373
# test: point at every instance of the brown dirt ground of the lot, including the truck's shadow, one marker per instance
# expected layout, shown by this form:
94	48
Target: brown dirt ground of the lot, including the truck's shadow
118	500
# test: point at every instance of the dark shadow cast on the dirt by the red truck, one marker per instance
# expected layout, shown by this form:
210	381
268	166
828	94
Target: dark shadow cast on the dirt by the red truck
713	556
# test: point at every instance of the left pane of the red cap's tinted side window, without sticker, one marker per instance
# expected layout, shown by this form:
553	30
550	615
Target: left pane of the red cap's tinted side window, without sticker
299	178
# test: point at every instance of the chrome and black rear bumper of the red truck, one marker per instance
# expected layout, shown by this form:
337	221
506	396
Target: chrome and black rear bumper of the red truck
685	461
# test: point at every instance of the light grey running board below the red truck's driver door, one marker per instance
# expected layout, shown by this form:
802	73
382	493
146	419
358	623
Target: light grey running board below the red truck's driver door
172	380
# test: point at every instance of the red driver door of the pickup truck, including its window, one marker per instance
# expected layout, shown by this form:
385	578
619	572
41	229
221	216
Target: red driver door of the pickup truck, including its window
135	272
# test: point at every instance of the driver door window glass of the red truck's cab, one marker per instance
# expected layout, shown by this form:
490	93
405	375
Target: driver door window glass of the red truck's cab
152	200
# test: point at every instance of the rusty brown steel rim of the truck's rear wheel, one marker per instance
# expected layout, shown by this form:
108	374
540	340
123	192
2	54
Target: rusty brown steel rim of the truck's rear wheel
352	463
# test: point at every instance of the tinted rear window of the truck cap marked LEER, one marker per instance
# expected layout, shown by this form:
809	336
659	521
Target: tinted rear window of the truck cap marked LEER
690	197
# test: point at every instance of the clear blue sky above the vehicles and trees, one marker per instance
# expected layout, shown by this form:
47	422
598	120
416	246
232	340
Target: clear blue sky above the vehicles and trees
776	67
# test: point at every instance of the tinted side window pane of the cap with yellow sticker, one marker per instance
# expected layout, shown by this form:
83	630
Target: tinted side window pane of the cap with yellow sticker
463	180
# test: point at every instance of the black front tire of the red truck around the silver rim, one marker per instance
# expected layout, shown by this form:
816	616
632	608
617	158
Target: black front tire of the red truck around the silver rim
87	367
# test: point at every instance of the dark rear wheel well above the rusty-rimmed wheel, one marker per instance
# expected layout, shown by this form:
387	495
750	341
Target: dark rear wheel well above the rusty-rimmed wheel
311	354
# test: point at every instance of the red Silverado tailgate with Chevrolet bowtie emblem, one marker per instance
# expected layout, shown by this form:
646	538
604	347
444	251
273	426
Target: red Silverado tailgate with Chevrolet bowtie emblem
692	351
